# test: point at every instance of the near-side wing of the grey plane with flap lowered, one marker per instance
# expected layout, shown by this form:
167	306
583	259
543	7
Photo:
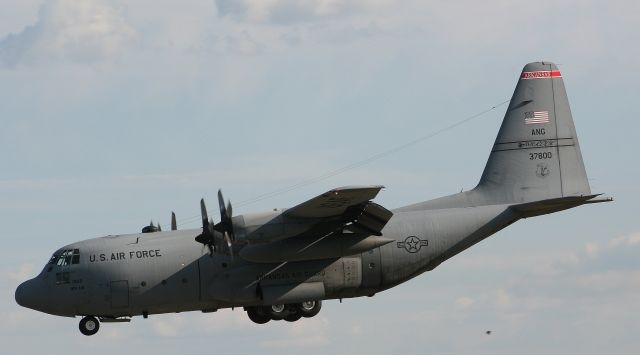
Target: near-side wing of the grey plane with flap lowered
343	221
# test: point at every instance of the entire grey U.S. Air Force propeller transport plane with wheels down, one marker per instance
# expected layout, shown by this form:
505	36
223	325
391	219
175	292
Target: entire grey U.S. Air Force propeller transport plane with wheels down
283	263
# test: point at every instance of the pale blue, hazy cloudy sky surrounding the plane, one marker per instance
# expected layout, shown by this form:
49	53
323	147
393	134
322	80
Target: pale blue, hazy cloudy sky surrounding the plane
116	112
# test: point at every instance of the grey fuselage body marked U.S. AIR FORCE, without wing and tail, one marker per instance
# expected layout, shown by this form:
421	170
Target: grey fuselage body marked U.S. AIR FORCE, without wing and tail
162	272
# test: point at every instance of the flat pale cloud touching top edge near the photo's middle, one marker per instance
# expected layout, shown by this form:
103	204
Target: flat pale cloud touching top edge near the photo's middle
294	11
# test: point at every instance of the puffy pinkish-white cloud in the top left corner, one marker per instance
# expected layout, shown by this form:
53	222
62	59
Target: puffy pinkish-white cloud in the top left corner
82	31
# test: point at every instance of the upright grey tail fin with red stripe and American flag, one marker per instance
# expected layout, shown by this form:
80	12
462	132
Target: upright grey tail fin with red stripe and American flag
536	155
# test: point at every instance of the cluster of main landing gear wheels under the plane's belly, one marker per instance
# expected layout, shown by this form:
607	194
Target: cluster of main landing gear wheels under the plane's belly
288	312
